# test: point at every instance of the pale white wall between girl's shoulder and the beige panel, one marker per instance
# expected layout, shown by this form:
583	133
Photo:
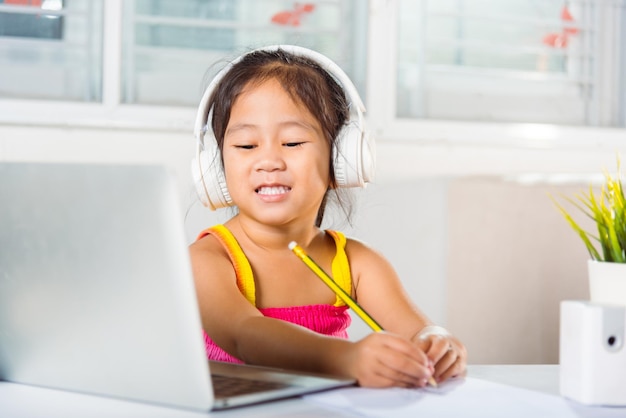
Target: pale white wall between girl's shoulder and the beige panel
406	221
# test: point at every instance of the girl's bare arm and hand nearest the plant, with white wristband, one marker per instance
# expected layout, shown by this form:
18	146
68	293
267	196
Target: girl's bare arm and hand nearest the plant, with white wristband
379	291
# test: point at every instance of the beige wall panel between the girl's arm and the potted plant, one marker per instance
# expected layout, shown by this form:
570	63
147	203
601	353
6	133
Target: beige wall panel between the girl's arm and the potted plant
511	259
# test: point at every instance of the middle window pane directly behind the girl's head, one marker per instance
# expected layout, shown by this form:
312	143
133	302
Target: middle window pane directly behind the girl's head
172	48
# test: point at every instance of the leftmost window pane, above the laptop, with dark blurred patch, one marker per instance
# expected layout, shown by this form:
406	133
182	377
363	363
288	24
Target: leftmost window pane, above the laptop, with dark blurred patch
51	49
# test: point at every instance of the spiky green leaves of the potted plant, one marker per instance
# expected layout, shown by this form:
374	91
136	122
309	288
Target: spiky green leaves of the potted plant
608	212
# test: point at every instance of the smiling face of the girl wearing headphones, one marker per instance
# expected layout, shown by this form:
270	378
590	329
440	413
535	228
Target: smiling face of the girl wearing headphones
276	159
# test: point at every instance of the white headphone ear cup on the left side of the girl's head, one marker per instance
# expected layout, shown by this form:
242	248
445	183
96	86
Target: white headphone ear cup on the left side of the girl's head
208	177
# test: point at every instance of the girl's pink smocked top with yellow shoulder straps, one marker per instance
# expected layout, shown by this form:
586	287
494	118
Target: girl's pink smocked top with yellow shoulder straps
332	320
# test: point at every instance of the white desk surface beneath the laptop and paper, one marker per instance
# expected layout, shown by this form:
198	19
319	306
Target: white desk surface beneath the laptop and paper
21	401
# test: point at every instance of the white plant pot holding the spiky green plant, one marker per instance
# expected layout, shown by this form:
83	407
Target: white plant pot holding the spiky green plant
607	282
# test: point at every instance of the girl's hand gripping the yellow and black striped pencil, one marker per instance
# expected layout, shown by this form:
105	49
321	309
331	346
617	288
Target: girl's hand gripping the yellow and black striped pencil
384	360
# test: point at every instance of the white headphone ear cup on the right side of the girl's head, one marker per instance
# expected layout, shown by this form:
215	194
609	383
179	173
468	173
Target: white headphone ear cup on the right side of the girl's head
354	157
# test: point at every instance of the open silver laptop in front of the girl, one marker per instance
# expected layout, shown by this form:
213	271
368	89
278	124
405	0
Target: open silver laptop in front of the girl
96	291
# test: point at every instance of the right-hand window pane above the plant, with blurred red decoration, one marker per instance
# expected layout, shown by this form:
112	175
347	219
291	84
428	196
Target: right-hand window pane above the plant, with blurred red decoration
550	61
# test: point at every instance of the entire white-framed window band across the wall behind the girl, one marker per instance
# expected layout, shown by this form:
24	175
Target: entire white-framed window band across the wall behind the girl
145	63
